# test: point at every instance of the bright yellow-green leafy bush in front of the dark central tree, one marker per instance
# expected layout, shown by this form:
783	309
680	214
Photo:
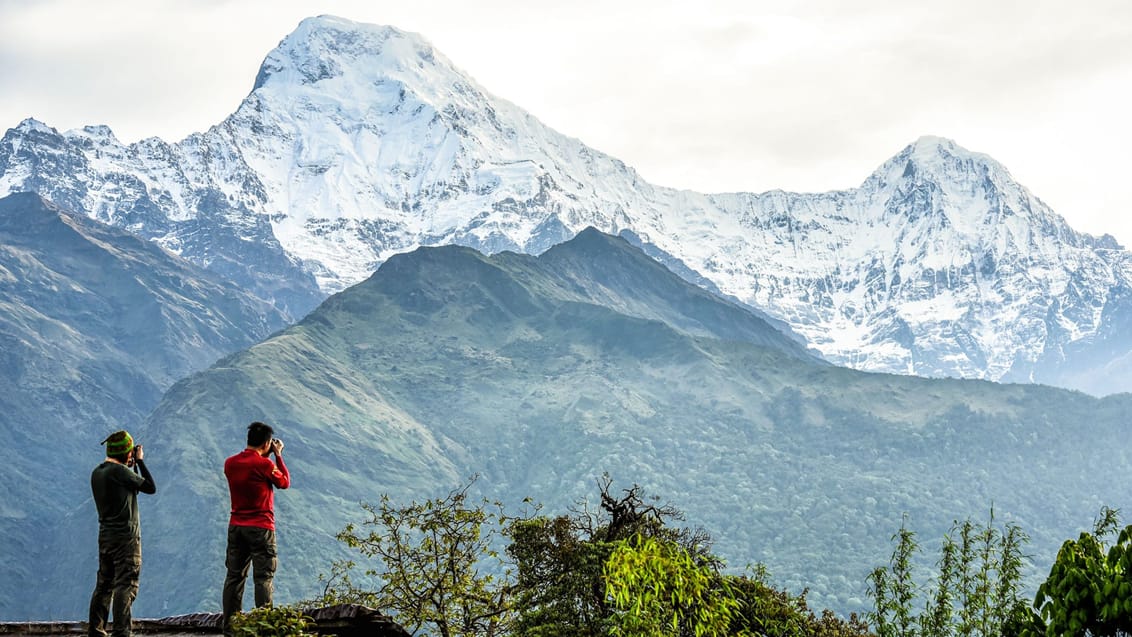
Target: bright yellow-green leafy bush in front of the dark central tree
659	589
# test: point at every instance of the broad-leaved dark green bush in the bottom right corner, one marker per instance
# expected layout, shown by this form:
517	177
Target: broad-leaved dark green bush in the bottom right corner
1090	589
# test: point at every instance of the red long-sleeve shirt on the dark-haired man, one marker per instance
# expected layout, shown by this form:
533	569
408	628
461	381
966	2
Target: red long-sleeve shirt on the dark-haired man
252	481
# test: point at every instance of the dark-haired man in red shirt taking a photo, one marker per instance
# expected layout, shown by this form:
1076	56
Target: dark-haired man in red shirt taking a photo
252	481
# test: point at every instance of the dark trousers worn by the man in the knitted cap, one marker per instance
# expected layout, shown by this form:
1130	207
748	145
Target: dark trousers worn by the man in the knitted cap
119	569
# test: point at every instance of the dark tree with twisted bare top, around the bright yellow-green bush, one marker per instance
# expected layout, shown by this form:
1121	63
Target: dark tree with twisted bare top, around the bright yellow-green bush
562	562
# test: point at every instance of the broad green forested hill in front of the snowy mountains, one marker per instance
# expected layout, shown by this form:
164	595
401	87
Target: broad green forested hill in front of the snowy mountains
542	374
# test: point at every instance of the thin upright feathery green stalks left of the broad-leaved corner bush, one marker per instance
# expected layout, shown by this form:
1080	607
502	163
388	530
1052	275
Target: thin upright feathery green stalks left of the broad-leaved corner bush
977	589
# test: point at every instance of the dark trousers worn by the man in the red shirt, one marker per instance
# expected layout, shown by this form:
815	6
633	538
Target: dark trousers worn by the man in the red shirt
248	547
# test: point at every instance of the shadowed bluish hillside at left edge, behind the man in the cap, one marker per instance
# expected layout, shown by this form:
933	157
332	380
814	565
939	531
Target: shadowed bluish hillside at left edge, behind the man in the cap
96	325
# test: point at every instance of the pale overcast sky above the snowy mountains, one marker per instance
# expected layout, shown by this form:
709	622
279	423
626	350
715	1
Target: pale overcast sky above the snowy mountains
807	96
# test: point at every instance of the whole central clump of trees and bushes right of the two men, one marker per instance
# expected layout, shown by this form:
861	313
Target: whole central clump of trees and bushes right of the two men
621	571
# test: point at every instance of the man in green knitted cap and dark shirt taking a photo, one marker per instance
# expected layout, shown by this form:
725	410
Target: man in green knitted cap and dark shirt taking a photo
116	495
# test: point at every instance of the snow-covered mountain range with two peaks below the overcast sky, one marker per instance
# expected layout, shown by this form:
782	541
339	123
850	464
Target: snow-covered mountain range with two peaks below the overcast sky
361	142
